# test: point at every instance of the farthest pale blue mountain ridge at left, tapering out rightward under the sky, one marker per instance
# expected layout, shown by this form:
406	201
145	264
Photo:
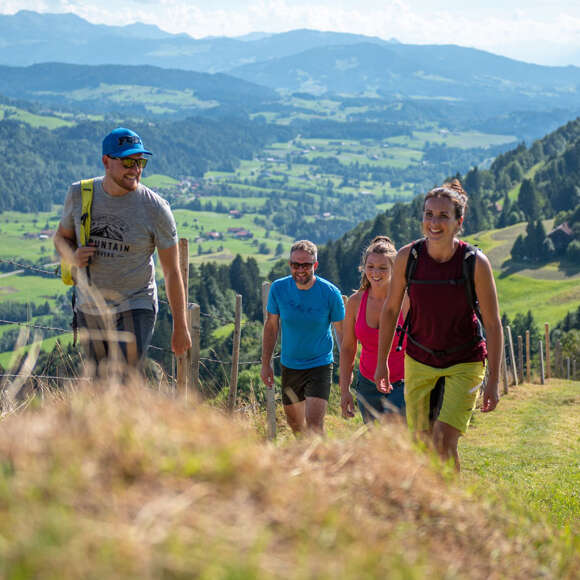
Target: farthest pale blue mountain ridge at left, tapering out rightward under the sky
29	37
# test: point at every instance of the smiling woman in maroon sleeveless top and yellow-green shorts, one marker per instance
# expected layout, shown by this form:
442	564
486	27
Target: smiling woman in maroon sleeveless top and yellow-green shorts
444	337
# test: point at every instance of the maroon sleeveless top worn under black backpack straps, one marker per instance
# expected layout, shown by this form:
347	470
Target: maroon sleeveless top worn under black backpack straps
441	316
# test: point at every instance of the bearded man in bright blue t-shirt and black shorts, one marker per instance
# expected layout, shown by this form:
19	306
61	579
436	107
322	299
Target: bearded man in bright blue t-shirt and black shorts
305	305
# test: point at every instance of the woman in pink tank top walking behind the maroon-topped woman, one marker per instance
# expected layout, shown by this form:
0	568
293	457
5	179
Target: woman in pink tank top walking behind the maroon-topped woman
361	325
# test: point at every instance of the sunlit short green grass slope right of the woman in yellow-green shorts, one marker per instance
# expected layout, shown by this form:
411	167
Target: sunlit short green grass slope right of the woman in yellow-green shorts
529	450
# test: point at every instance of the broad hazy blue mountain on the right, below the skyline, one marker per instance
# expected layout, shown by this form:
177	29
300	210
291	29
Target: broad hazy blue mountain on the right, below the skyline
448	72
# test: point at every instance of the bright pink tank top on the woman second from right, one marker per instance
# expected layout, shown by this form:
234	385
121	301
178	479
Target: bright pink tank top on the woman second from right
369	339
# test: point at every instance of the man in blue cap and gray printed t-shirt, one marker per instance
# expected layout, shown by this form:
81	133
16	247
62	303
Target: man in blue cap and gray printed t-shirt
115	272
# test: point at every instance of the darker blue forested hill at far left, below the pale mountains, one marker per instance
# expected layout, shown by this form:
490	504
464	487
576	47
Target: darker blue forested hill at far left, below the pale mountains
112	88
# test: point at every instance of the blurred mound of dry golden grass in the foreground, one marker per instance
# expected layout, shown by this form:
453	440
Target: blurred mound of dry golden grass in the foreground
128	483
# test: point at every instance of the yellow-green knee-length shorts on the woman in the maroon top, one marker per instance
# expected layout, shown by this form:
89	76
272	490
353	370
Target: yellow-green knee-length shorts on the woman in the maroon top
462	382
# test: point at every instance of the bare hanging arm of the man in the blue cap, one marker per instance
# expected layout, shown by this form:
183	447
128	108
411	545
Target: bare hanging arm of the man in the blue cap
169	258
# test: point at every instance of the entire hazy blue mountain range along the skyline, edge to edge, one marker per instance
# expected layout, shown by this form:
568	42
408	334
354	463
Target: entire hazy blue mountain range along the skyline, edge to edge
300	60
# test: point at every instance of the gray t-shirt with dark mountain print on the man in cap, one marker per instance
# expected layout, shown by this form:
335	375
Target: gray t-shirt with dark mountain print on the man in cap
126	230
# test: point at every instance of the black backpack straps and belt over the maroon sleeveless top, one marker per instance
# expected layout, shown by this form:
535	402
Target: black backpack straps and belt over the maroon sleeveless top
467	279
